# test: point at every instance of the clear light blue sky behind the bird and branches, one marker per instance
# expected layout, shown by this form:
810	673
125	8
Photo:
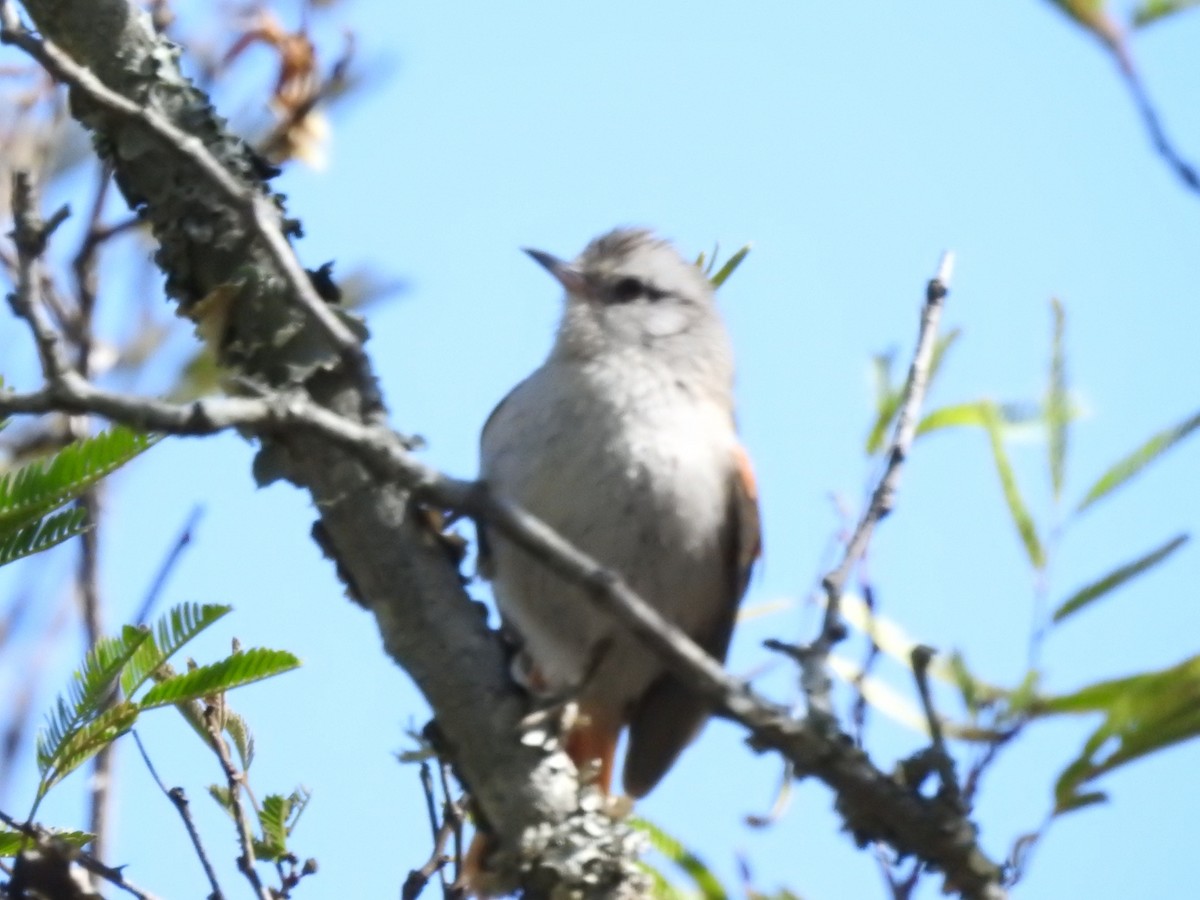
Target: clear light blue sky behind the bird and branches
851	151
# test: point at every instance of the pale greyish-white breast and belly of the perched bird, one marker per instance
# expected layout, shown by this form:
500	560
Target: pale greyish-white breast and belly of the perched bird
633	470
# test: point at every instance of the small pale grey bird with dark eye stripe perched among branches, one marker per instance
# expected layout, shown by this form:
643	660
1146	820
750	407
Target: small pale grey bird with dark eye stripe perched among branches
625	442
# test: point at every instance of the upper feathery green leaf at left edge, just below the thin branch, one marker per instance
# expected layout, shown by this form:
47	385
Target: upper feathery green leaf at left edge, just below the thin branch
43	487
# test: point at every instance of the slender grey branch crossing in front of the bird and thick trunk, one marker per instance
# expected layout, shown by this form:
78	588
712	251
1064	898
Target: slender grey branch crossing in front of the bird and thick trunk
873	803
